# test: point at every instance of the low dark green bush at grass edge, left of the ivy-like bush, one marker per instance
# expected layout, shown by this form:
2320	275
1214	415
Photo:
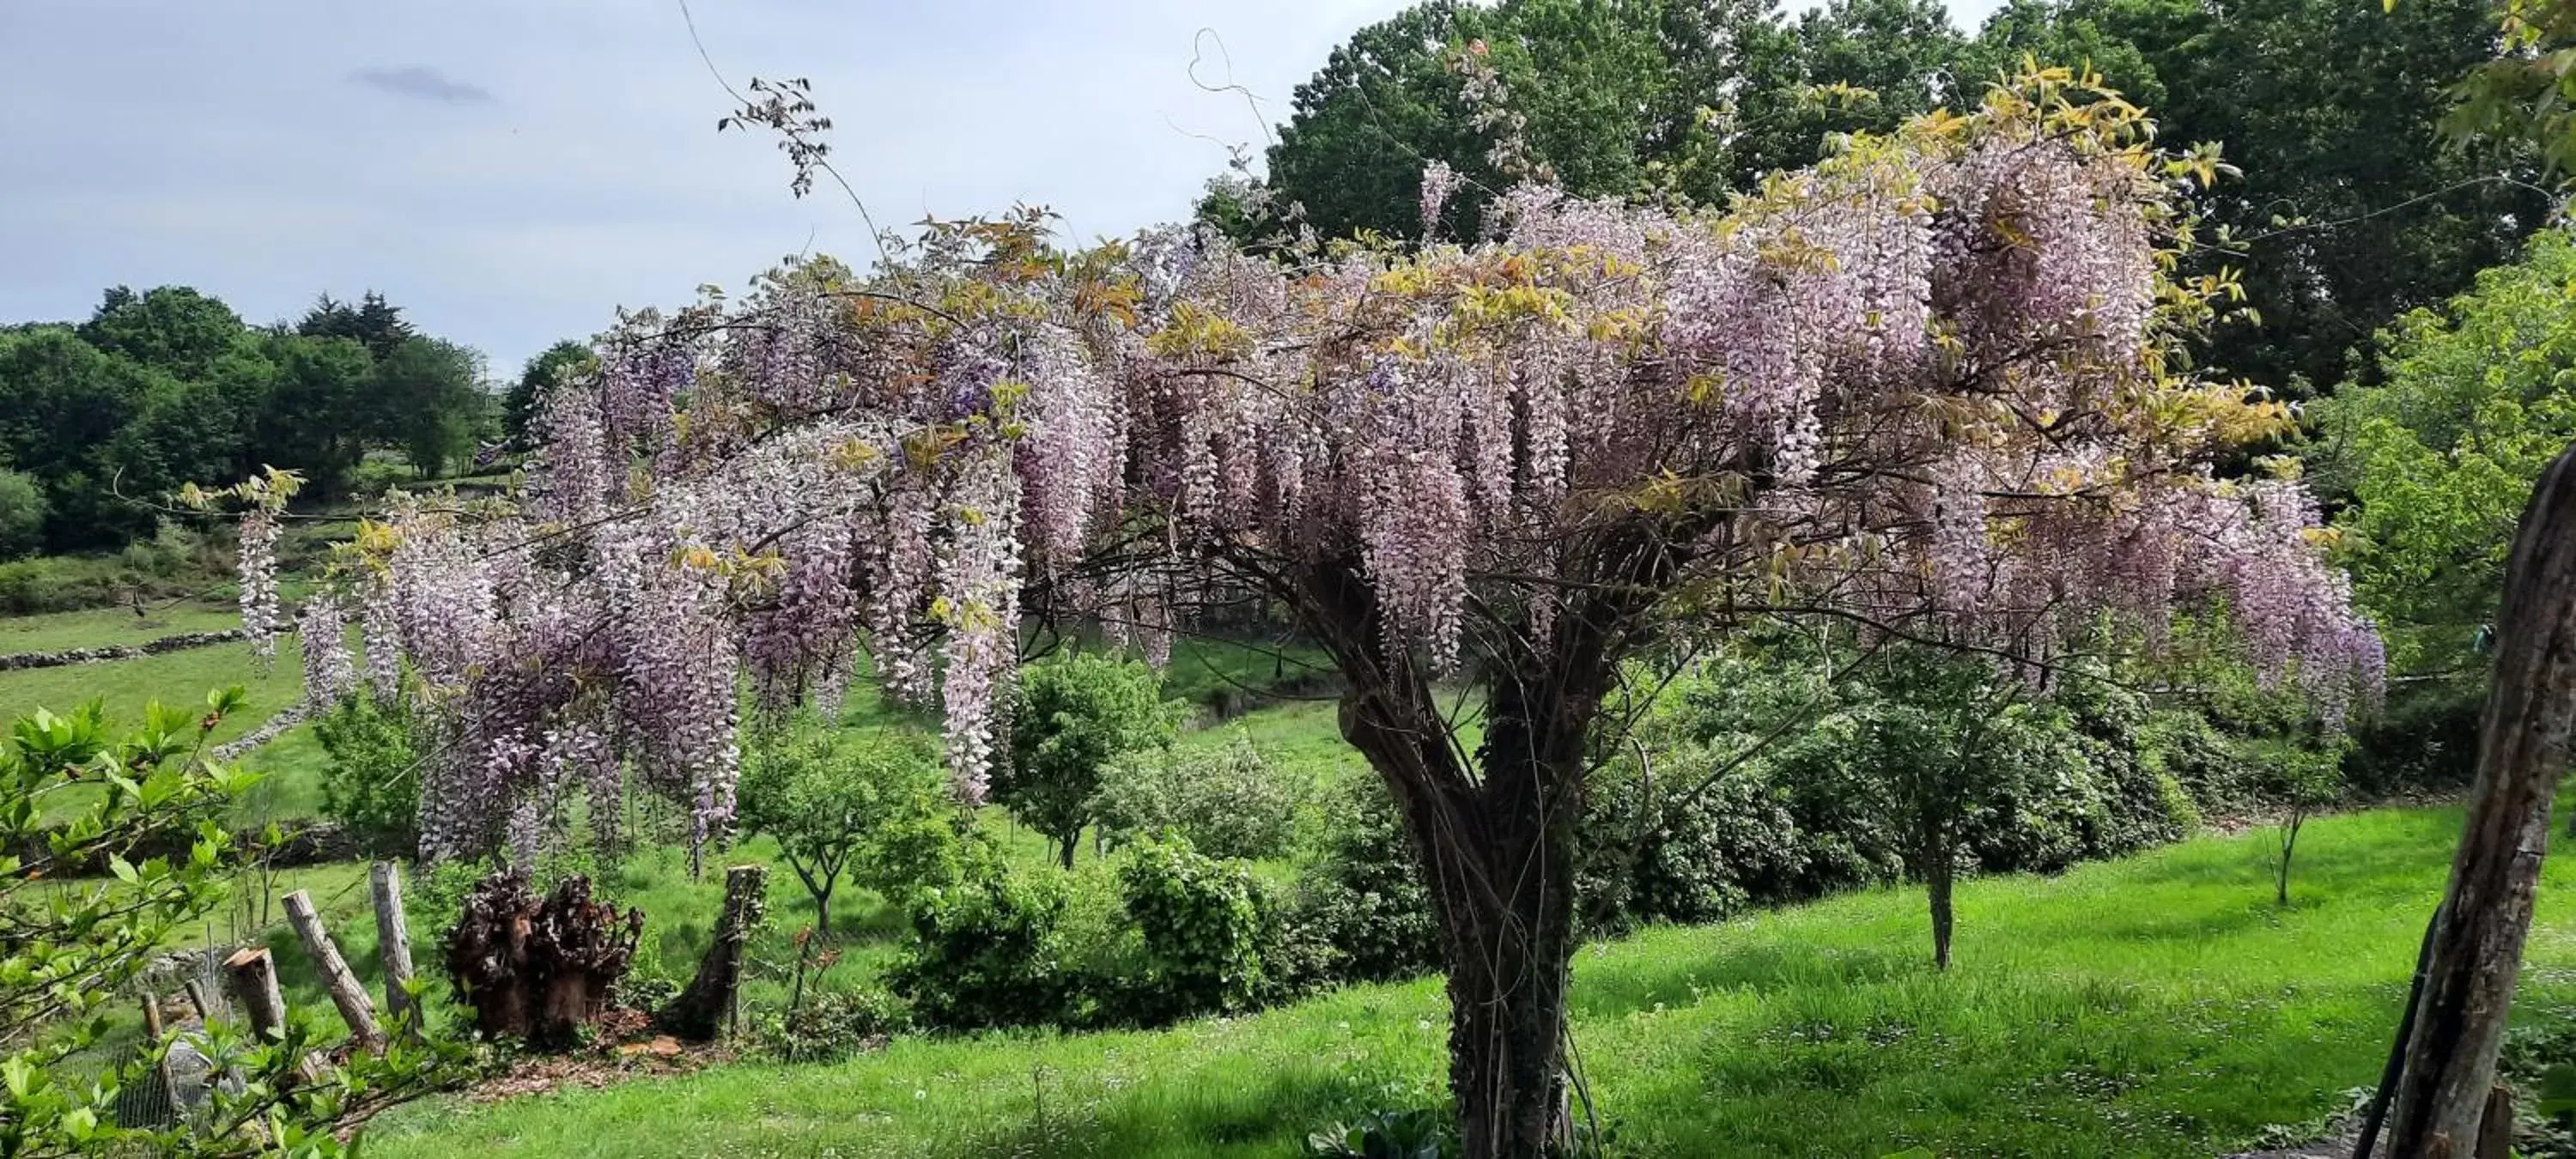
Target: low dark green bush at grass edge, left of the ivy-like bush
988	954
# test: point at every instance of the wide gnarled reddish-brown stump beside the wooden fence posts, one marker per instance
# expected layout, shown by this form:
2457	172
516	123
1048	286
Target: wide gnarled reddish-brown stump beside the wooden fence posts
540	970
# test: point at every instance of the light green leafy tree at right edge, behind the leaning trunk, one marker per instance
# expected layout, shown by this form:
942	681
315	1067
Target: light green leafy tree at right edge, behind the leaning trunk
2443	455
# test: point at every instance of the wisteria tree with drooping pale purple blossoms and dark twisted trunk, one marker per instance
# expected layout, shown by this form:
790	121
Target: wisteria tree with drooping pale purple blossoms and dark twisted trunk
1928	388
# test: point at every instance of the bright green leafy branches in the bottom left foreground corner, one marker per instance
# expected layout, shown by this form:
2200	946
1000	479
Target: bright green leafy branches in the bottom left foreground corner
73	947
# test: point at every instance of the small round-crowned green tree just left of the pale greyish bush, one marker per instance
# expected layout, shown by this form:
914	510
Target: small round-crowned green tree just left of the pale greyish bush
1073	720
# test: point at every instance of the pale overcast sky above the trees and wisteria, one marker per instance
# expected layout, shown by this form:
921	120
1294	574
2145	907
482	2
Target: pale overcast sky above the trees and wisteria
509	171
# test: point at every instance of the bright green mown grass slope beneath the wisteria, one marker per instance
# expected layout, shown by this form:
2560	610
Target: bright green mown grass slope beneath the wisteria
2147	1008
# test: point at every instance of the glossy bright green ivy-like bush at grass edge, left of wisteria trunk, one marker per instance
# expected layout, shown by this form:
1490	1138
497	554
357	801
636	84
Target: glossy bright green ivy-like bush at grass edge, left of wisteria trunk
1202	934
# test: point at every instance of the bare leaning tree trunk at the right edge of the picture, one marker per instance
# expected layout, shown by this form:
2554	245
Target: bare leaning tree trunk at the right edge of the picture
2523	746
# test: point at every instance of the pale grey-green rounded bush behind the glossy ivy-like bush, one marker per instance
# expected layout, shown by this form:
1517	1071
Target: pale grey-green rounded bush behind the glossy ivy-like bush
1225	805
